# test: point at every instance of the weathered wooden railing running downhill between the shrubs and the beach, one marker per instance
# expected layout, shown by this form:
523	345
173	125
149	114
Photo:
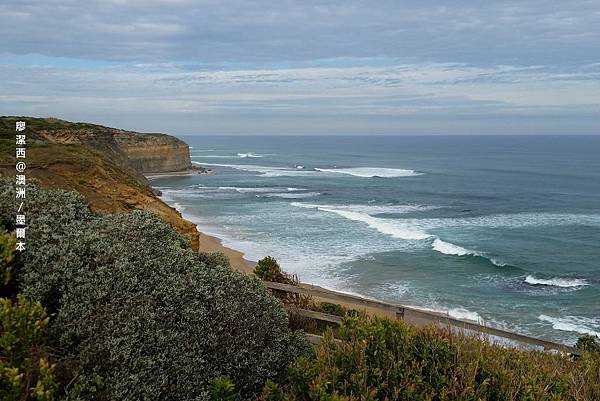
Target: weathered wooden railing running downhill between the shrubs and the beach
411	315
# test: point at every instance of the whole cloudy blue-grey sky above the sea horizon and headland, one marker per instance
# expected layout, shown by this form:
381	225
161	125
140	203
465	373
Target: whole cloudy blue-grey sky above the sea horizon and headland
285	67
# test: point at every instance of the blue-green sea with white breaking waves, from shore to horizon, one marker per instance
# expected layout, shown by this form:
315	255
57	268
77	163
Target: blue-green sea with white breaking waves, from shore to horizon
502	229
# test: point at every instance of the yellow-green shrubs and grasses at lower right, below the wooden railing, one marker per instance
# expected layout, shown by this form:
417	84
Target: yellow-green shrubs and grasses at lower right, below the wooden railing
380	359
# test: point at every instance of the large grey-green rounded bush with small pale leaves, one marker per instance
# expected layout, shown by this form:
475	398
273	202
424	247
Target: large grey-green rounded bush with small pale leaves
142	316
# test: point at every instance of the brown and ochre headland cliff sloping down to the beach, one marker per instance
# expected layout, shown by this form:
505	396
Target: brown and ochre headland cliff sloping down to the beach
105	165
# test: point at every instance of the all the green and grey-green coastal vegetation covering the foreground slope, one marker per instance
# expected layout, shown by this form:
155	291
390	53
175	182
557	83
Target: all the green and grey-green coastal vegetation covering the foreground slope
137	315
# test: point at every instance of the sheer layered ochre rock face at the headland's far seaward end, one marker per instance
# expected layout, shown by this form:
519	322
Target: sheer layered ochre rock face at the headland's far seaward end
155	153
